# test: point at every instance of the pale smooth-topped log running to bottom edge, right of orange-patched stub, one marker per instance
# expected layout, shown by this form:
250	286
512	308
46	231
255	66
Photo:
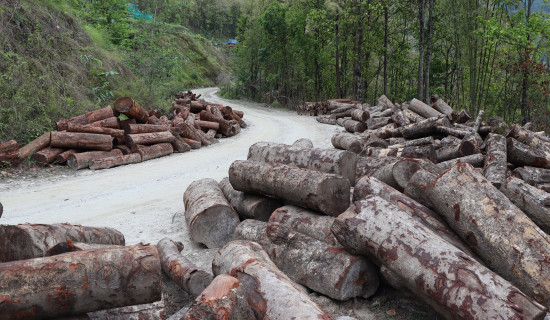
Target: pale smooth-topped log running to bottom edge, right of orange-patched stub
270	293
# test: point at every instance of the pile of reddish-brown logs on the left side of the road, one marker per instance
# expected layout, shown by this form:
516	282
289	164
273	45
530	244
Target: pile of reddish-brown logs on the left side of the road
100	140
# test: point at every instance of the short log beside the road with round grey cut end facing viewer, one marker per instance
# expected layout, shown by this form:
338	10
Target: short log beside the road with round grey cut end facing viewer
209	216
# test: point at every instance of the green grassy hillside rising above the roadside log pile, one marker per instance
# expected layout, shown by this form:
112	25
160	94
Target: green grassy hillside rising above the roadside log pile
55	63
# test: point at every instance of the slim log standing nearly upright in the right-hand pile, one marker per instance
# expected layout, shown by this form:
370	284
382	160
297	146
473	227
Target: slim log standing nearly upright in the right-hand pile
494	168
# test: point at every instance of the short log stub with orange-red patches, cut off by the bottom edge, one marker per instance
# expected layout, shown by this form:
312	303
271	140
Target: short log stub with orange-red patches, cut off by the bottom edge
225	298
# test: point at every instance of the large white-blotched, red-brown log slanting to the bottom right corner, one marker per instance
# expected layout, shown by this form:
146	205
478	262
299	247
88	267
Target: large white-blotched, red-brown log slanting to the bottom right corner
454	284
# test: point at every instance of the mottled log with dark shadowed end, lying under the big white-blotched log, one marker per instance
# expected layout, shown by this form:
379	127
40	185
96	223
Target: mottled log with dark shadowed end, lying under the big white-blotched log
312	263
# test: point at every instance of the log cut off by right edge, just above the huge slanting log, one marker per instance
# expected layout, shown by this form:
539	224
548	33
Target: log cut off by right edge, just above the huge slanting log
535	203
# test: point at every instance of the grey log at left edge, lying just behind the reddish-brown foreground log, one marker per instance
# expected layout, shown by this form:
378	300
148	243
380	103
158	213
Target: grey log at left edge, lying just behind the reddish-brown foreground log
27	241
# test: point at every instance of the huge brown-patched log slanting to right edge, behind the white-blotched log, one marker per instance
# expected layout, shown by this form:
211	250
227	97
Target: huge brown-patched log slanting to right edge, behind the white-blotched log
501	234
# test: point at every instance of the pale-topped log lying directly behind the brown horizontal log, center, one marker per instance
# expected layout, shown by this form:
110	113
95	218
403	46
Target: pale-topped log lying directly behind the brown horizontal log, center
338	162
